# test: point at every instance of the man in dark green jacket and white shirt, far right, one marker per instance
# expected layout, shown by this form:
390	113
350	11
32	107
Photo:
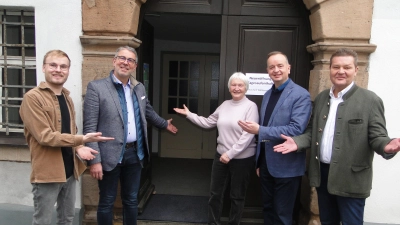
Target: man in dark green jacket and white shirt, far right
346	128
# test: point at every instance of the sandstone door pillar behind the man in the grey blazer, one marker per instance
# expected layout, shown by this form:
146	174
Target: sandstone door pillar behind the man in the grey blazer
106	26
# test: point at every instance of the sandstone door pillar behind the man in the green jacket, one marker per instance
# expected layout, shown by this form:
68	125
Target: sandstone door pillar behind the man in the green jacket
335	24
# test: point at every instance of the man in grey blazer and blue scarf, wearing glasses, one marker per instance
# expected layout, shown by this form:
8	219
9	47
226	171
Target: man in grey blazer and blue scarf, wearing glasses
118	107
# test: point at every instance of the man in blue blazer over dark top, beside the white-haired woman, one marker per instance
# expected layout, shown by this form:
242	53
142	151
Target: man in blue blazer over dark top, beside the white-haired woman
285	109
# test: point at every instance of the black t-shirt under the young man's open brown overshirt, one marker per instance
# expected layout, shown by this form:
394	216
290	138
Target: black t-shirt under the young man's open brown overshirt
65	128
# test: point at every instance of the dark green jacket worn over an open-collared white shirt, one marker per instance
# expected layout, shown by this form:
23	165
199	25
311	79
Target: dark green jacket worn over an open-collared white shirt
360	130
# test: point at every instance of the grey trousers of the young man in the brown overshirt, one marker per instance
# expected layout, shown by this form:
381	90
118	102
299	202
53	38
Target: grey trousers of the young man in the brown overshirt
45	195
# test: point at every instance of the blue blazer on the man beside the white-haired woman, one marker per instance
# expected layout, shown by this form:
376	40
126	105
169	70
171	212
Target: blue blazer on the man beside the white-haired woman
290	117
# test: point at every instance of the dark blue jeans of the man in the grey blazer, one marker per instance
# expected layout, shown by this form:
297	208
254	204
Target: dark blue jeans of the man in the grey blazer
128	173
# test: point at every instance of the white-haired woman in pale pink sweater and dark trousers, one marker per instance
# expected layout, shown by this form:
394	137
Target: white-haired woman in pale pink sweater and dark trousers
234	159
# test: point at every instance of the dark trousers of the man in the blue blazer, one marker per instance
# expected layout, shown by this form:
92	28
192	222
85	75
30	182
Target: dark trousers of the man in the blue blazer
279	196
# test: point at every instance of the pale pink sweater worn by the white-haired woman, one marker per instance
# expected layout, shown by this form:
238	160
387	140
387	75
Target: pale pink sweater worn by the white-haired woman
232	139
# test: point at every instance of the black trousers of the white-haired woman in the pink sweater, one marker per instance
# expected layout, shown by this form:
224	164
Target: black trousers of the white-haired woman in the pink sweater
237	171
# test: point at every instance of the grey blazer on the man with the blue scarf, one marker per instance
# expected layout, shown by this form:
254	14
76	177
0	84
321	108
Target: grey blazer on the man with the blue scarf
102	113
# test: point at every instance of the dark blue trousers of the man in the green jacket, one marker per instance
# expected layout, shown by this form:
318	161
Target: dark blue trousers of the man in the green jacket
334	209
